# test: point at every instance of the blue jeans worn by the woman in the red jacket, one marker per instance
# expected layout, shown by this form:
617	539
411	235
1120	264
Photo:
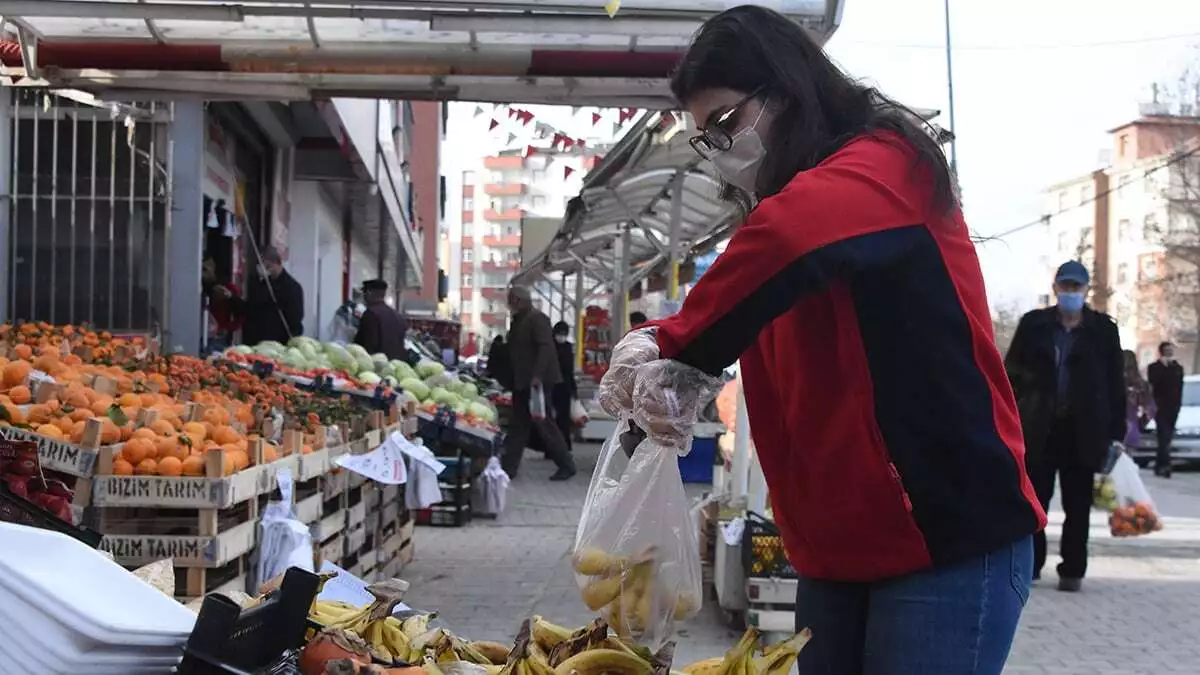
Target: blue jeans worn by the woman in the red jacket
957	620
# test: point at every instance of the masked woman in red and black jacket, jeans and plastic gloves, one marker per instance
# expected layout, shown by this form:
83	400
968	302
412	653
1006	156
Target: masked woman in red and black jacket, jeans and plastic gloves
881	413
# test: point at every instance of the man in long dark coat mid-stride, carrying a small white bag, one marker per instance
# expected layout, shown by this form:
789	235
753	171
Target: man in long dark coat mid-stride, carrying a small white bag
535	368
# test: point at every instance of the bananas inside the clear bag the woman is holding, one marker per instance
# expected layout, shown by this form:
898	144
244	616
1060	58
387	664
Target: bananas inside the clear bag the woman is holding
632	590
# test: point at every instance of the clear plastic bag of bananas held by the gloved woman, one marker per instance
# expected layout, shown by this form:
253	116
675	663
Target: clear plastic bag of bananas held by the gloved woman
637	555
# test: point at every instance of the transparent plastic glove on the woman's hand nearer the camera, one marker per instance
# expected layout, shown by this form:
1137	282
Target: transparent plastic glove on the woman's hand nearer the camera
668	399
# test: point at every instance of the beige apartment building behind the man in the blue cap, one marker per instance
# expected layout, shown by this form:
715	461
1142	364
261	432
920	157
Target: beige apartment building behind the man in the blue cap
1119	222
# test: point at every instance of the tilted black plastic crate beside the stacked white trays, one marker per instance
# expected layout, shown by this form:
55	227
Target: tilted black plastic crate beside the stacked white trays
229	641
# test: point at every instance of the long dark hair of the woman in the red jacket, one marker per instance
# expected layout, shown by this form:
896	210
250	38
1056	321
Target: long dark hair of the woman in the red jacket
817	107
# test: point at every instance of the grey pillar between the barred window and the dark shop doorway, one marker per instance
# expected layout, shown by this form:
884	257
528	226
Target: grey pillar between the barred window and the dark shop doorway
187	242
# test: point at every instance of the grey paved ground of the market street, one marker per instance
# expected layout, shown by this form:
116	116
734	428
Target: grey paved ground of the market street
1137	614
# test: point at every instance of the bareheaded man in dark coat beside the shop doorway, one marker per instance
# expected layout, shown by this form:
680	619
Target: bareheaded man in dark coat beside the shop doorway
274	307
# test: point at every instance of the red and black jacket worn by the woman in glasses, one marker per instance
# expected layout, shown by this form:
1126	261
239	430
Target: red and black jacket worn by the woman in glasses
880	408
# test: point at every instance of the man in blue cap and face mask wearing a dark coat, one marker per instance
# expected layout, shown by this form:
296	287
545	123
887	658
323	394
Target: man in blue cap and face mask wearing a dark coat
1067	373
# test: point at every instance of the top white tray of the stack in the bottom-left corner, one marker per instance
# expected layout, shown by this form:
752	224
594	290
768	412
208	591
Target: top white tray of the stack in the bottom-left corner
92	595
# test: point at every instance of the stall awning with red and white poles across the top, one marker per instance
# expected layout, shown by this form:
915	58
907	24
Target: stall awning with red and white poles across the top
502	51
